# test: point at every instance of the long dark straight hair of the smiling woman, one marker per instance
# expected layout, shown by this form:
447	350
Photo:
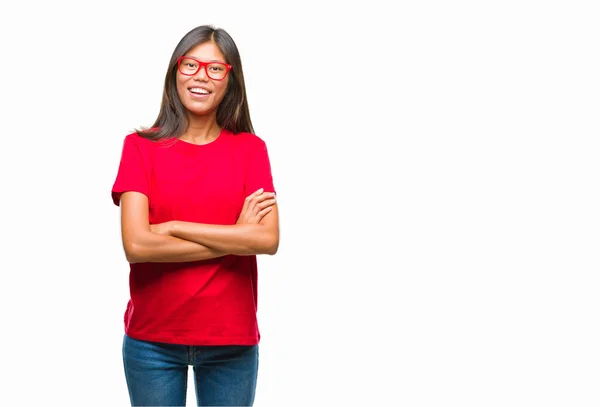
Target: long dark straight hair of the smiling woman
233	113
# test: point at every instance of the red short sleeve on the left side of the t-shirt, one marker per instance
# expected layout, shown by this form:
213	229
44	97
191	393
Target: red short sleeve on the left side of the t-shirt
133	172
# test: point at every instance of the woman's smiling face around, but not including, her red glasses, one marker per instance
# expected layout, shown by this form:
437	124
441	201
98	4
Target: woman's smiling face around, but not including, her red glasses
200	94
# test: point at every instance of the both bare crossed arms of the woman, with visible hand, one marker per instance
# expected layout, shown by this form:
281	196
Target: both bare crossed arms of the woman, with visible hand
256	232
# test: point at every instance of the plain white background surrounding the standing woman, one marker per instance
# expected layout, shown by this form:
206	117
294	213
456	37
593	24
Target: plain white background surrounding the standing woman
437	171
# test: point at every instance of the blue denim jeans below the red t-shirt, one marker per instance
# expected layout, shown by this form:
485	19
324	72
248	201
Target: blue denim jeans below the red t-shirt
157	373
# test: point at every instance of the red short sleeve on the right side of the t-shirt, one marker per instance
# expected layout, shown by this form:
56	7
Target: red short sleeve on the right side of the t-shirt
258	168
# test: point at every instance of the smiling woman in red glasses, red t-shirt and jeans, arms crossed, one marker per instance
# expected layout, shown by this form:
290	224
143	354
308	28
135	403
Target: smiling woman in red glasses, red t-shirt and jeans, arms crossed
197	205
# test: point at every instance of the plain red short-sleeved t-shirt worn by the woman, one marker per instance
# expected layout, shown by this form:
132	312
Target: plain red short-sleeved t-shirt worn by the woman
209	302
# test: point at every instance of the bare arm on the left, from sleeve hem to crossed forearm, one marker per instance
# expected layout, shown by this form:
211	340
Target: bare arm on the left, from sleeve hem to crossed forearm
141	245
